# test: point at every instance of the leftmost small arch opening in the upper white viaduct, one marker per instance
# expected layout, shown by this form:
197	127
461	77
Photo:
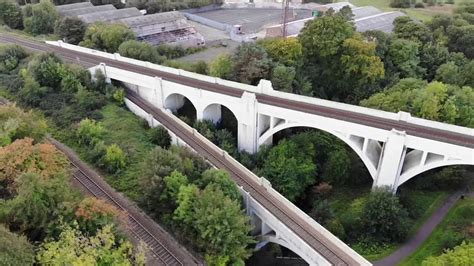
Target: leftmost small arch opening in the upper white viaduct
182	107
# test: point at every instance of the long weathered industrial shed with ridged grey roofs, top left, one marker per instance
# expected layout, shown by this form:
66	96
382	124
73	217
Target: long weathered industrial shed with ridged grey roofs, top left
169	27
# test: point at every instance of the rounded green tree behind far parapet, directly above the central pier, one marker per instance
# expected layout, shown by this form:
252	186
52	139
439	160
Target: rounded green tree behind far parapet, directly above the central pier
251	64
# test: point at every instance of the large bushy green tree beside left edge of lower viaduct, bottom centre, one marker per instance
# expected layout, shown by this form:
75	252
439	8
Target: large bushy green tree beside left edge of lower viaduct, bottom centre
218	223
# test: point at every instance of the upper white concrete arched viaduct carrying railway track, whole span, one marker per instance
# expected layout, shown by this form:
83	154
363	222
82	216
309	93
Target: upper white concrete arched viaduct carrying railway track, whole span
393	146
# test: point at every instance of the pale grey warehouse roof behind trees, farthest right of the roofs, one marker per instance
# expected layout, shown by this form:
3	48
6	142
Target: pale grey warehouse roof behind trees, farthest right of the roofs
382	22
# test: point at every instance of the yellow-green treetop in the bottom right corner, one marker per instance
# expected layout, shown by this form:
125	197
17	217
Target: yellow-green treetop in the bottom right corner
460	255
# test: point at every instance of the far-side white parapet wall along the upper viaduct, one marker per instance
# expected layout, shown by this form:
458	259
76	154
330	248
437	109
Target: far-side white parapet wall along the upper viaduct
265	87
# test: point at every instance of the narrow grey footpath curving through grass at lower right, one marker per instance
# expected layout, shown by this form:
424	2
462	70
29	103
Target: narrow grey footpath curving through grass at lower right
424	232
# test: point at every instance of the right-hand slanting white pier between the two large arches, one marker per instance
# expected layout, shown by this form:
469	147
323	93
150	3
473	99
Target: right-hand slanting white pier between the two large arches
391	160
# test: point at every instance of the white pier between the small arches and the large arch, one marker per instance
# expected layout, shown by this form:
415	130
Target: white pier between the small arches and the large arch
247	124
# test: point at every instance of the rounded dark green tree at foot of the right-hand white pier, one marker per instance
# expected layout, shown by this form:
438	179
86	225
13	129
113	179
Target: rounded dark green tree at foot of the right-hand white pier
383	216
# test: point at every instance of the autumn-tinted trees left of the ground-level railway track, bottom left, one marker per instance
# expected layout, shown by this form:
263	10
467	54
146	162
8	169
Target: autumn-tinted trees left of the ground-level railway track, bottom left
43	220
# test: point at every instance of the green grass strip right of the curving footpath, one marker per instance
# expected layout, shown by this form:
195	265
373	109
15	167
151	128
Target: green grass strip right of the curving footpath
451	231
